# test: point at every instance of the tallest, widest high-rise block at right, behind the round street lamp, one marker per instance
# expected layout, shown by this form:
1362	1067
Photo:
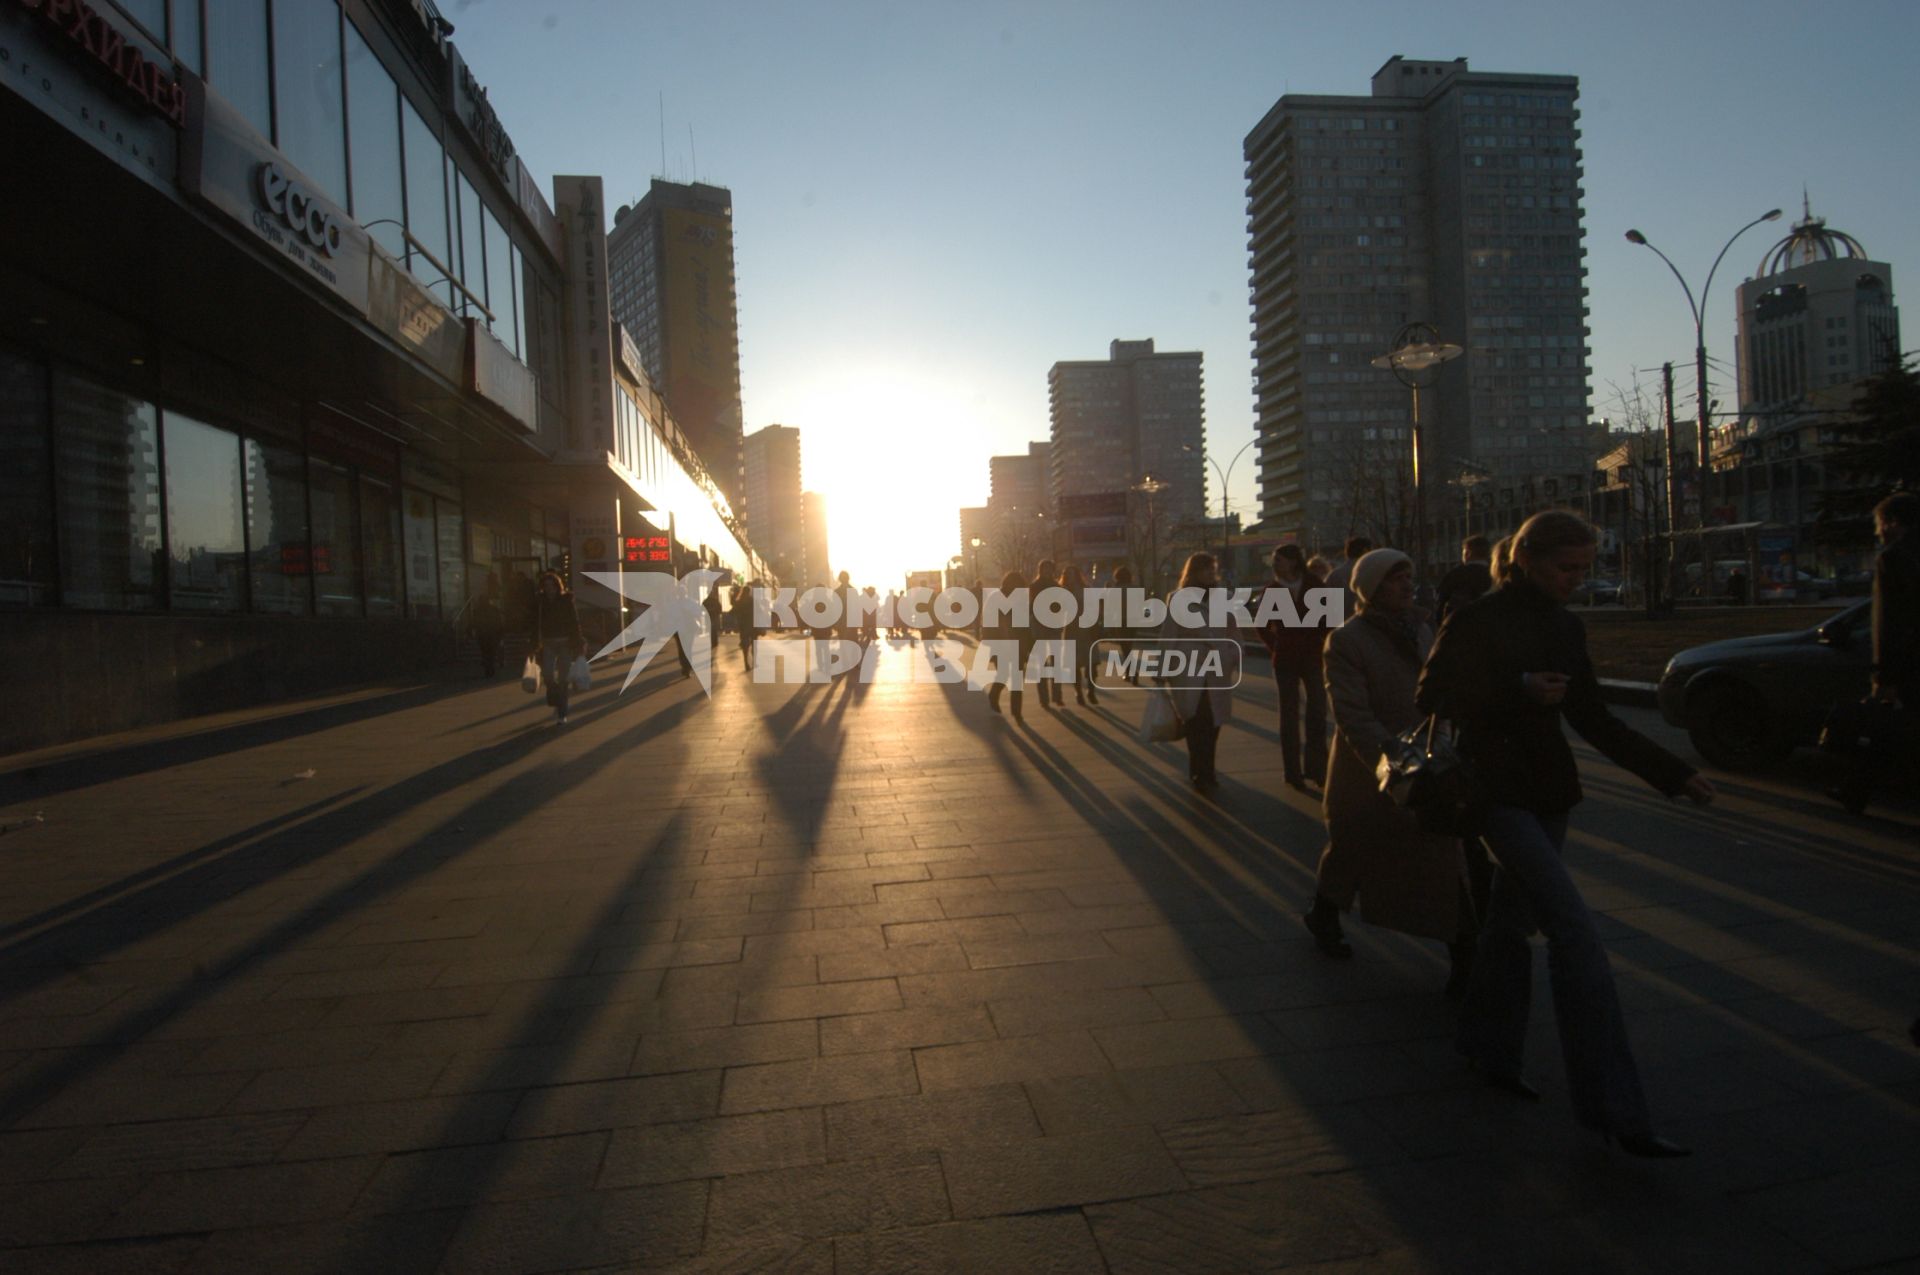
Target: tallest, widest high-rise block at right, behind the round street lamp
1449	197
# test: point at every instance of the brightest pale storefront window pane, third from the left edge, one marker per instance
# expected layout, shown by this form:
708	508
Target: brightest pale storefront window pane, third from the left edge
206	535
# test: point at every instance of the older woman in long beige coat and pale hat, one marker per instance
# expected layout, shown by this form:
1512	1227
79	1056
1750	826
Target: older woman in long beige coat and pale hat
1406	878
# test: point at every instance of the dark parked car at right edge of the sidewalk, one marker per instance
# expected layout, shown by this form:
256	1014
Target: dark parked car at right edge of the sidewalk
1748	702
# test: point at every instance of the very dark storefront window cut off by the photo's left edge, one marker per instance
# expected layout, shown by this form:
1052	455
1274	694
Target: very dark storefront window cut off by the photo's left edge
26	498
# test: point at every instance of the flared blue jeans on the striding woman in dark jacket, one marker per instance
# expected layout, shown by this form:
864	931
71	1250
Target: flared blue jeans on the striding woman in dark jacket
1531	888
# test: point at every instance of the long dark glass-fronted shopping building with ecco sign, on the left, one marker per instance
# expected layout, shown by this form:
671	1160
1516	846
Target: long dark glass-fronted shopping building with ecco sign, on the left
295	356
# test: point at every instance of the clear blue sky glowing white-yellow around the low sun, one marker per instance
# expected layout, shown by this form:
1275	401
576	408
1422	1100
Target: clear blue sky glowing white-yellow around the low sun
936	203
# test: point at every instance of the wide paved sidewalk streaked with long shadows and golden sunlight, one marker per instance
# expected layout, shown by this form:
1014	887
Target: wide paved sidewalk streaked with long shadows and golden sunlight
863	978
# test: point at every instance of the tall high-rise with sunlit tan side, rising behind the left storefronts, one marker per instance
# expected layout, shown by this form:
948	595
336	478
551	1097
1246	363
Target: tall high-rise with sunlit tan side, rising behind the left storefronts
671	285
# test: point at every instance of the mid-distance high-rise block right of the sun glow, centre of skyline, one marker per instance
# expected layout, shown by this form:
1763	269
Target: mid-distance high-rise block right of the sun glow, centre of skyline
1116	423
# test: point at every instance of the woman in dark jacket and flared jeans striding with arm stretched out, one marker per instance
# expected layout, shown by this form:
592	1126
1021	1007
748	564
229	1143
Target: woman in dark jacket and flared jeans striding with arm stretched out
1504	671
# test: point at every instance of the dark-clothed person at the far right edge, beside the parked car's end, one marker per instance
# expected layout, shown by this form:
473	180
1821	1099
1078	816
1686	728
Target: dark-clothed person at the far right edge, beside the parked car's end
1896	635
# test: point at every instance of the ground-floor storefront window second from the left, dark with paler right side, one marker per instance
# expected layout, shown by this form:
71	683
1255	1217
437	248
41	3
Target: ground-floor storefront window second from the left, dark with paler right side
110	525
